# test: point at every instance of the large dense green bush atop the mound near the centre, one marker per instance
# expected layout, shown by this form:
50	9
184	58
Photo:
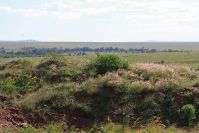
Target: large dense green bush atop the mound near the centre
108	63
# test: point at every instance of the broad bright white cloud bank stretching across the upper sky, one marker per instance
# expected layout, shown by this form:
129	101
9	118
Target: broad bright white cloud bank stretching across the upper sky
139	11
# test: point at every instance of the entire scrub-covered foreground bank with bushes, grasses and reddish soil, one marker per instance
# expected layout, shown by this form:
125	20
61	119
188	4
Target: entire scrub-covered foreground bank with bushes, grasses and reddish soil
106	95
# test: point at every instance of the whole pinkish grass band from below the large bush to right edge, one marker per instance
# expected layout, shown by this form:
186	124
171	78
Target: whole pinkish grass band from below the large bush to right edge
146	77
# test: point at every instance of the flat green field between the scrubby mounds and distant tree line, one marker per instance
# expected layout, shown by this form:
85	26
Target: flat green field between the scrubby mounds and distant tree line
187	58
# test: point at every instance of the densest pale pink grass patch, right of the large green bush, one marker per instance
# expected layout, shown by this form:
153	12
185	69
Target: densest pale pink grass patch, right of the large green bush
156	72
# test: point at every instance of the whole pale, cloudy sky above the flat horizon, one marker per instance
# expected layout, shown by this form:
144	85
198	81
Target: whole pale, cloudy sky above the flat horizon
99	20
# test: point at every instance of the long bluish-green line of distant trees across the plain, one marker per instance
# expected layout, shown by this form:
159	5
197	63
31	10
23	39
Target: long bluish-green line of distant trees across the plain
33	51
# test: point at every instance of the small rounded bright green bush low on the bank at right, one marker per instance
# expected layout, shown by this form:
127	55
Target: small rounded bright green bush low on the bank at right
187	114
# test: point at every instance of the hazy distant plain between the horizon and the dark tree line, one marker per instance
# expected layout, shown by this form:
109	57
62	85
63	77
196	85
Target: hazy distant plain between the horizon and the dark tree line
151	45
